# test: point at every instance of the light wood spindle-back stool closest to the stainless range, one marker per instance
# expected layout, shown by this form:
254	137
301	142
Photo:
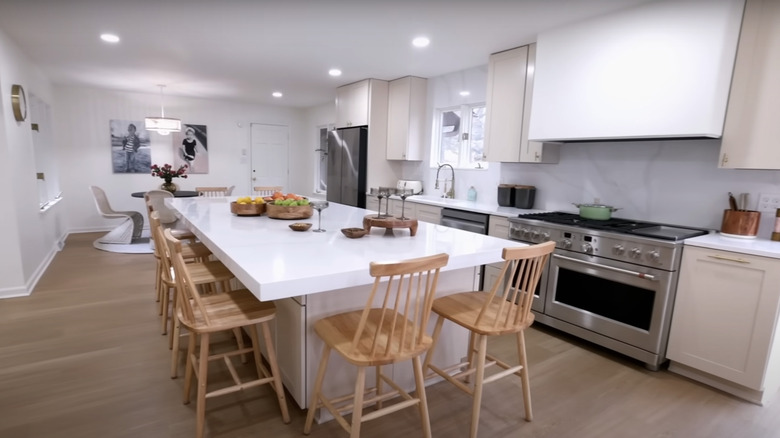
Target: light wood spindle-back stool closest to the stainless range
490	313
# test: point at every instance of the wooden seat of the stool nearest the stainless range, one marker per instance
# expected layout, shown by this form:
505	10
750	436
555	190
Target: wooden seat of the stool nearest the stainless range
463	308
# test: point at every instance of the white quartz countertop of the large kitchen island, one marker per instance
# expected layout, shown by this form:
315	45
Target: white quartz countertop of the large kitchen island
275	262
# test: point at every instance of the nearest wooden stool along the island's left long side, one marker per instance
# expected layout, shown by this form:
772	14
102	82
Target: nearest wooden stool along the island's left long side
227	311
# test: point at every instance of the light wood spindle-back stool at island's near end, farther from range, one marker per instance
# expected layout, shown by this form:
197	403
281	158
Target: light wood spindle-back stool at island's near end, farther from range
374	337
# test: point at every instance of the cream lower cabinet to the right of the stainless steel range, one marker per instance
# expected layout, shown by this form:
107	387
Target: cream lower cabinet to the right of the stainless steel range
725	326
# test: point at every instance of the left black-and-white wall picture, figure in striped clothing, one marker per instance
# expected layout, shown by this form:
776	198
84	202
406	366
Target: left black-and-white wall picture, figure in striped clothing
130	151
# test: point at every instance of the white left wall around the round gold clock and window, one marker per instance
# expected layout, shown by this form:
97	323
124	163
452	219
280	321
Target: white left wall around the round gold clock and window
29	238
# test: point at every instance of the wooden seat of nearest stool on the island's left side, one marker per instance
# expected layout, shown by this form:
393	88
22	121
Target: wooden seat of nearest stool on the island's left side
229	310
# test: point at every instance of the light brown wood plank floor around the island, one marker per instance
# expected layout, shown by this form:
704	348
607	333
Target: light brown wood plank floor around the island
83	357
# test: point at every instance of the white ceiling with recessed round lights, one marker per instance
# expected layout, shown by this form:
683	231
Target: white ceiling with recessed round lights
243	50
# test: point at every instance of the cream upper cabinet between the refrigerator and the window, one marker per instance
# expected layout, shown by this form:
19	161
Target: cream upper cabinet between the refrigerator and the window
407	99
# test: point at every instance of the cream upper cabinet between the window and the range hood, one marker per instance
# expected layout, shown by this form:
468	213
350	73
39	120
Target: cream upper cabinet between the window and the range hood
509	95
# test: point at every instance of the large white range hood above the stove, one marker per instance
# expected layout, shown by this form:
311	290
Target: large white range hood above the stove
658	70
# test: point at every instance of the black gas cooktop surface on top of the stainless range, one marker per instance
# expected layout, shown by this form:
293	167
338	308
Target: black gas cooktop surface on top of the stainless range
617	225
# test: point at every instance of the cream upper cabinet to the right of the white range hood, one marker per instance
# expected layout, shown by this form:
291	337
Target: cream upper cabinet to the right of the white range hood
752	130
